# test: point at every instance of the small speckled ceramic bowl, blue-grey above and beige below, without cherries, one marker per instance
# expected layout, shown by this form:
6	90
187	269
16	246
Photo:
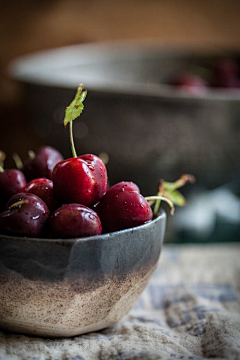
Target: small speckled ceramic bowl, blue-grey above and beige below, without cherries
60	288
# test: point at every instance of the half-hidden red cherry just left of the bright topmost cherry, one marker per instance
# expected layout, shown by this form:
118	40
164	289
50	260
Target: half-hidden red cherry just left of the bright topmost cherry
43	188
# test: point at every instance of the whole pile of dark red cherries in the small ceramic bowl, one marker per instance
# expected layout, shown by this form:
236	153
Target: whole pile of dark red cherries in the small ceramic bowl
67	198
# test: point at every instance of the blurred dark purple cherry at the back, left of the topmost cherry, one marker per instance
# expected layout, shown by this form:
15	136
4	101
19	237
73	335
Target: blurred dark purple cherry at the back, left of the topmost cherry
42	164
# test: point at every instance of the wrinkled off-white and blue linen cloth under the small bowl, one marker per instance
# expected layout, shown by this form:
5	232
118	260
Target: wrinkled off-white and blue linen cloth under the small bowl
189	310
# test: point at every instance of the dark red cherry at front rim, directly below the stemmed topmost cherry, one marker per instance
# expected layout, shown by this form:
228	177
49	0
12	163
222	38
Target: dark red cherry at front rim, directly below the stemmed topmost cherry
75	220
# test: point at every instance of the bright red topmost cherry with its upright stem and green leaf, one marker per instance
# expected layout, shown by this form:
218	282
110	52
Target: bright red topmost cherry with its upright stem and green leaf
81	179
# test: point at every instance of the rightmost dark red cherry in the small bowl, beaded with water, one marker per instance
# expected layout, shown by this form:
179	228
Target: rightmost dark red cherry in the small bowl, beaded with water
123	207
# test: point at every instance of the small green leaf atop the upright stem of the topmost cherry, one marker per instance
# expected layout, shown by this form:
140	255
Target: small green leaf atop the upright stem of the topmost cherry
74	110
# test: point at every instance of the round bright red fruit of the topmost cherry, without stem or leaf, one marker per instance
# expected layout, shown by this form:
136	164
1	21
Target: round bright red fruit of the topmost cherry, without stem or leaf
82	180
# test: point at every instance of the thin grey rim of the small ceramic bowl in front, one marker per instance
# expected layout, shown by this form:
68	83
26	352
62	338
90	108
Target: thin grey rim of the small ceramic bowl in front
160	217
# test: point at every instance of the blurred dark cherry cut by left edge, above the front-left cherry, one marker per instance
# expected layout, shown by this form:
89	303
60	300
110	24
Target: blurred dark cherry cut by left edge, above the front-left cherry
11	181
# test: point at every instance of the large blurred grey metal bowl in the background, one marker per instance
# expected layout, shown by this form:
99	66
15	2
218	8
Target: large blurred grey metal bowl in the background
149	129
